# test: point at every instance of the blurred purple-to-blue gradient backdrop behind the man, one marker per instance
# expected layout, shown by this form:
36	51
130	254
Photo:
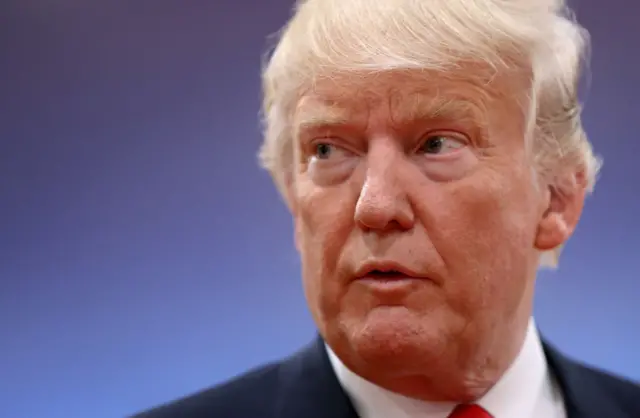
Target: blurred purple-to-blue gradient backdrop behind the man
143	255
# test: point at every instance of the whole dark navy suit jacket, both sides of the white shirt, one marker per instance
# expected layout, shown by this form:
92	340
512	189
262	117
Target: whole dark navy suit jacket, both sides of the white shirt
305	386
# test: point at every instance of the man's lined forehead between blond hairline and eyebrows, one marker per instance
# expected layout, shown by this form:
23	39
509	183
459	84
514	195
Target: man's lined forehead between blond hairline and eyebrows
403	97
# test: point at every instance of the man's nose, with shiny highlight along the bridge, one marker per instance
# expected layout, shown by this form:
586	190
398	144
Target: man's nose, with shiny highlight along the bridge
383	203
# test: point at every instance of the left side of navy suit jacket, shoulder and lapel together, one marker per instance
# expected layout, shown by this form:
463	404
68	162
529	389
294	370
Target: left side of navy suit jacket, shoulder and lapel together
301	385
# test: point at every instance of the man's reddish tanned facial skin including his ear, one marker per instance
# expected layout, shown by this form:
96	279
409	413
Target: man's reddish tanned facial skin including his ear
428	173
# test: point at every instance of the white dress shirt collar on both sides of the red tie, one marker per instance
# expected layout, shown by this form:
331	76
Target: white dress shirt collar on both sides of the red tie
526	390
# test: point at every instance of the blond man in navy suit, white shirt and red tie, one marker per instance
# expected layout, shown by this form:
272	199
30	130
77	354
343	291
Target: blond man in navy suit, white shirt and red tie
432	156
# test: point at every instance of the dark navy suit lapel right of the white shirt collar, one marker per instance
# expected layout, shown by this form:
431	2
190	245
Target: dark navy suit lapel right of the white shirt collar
584	397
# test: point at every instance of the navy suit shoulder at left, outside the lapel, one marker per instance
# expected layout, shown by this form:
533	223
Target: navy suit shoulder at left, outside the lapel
249	394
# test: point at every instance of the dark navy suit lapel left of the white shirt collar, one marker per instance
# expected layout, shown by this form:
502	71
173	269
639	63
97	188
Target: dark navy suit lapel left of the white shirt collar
310	388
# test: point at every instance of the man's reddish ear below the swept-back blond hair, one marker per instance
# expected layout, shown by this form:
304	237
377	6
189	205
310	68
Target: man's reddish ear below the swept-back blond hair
563	208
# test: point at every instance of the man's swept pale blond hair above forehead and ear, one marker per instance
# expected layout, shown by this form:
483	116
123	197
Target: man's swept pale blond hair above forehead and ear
329	37
